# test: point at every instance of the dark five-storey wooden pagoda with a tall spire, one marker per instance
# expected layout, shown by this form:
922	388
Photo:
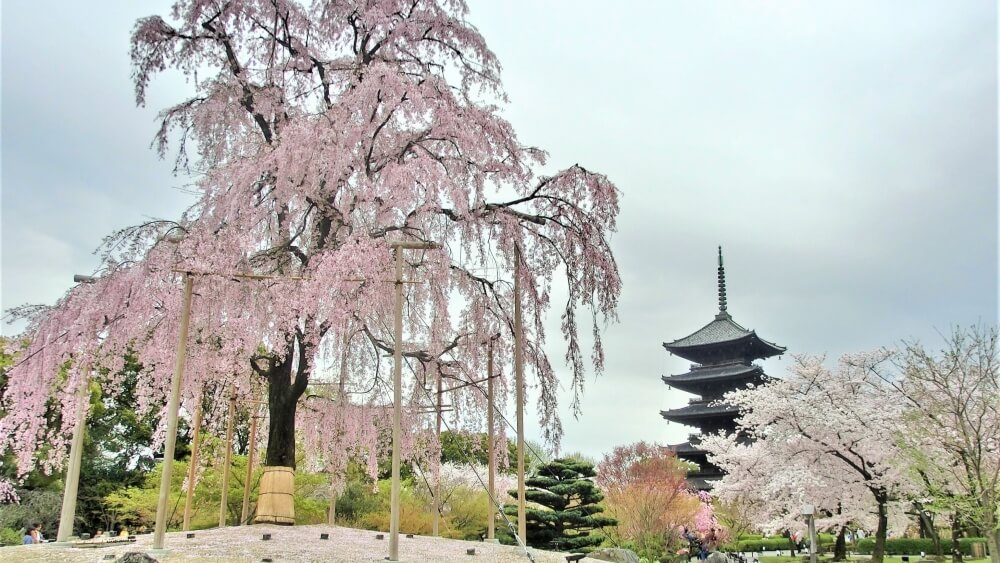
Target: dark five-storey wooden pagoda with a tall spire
723	353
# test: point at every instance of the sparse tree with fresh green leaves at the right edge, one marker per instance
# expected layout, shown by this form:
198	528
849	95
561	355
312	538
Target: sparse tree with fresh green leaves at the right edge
952	436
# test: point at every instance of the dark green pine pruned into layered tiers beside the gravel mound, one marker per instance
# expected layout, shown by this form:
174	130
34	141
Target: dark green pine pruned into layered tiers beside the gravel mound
568	510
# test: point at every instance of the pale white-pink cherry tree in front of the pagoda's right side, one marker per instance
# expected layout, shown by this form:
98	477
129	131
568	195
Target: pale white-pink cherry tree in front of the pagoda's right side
823	437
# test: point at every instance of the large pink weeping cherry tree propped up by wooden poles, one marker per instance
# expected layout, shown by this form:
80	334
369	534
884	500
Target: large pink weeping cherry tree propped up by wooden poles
321	135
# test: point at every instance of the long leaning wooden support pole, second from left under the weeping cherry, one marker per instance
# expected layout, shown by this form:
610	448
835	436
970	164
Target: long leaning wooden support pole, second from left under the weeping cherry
173	405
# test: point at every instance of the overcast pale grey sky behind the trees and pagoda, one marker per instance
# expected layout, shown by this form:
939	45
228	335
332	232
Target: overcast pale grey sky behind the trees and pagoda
844	154
